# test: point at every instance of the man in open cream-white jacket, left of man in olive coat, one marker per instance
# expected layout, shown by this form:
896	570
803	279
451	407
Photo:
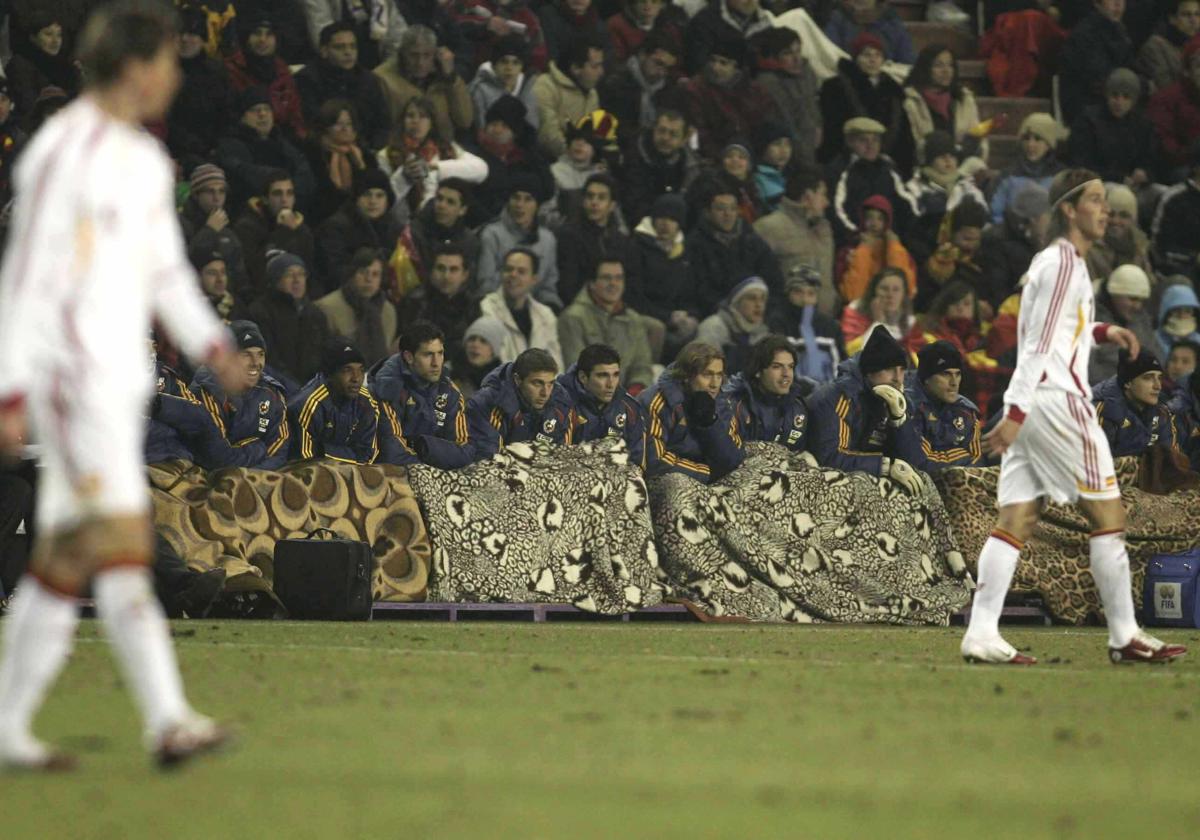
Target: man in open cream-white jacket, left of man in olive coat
527	322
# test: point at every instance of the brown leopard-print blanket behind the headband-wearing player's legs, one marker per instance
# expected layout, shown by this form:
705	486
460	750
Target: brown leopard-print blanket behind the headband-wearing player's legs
1054	563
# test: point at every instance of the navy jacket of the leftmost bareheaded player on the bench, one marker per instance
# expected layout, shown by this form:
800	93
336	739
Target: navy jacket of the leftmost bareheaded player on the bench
434	412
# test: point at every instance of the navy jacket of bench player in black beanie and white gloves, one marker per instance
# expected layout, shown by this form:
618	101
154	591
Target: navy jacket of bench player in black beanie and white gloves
849	427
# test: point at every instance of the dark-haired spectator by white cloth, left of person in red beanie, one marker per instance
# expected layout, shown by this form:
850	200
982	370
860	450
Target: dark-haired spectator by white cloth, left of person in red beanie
789	80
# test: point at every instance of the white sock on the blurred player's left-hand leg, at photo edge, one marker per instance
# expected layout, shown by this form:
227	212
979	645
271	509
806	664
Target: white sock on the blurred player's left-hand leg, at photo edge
38	638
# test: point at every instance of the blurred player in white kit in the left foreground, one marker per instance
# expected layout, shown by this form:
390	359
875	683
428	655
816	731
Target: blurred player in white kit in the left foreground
95	253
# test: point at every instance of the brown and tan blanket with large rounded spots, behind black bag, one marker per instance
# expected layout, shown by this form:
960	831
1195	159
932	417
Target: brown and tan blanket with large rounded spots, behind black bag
233	518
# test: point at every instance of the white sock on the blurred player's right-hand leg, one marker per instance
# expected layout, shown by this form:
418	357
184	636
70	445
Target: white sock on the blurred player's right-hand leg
139	632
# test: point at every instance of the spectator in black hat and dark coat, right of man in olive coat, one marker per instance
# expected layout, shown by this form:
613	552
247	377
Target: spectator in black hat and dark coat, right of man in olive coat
659	292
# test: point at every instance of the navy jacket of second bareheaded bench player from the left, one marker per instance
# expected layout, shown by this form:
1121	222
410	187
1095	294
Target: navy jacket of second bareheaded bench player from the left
499	416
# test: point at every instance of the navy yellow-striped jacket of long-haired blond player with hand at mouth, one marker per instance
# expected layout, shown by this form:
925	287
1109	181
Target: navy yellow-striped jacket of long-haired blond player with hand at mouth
674	446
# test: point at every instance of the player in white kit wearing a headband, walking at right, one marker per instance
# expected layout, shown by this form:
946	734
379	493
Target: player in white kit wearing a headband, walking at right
1049	437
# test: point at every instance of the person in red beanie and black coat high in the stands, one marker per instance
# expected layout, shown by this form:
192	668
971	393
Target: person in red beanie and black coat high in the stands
862	89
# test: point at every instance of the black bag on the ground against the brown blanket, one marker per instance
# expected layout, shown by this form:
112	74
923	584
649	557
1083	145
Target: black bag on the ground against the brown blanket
326	579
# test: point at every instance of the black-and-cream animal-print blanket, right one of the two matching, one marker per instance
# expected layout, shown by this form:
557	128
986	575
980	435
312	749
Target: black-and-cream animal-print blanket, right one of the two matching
784	541
